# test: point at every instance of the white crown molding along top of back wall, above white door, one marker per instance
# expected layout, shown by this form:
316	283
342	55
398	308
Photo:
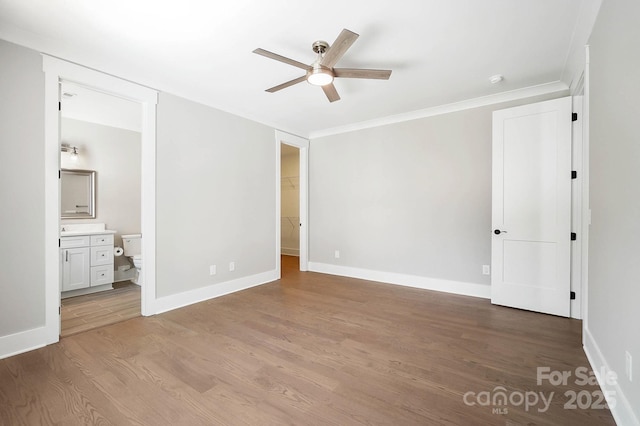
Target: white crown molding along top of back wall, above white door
527	92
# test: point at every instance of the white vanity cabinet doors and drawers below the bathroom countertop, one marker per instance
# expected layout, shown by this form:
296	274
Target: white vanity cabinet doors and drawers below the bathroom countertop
86	261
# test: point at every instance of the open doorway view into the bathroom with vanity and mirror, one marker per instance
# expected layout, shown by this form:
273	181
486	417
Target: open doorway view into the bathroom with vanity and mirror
100	133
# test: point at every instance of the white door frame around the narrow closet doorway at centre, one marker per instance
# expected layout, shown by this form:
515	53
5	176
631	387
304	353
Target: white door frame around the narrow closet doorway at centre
303	145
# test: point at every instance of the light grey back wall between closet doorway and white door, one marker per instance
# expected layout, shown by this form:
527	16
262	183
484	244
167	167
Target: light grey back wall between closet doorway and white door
411	198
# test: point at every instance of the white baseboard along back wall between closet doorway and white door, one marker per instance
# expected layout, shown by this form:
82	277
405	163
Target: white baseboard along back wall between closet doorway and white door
426	283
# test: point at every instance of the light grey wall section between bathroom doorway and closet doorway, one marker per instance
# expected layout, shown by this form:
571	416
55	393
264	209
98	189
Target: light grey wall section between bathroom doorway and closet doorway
215	196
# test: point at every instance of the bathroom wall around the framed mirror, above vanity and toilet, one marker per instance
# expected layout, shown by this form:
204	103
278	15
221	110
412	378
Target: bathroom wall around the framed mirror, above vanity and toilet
116	157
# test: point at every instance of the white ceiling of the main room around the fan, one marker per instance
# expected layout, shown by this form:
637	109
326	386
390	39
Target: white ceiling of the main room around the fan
440	51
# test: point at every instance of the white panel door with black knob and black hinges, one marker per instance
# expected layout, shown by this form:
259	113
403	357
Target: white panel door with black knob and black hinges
531	208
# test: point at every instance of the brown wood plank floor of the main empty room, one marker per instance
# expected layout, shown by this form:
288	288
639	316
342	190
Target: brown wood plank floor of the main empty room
309	349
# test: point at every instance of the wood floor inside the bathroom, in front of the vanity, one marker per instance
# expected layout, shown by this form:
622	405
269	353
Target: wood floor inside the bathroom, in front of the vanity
82	313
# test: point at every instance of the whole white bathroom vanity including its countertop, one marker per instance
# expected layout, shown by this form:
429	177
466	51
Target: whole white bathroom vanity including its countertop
86	259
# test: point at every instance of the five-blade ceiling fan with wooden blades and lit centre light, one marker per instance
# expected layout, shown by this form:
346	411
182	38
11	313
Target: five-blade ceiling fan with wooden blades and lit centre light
321	72
